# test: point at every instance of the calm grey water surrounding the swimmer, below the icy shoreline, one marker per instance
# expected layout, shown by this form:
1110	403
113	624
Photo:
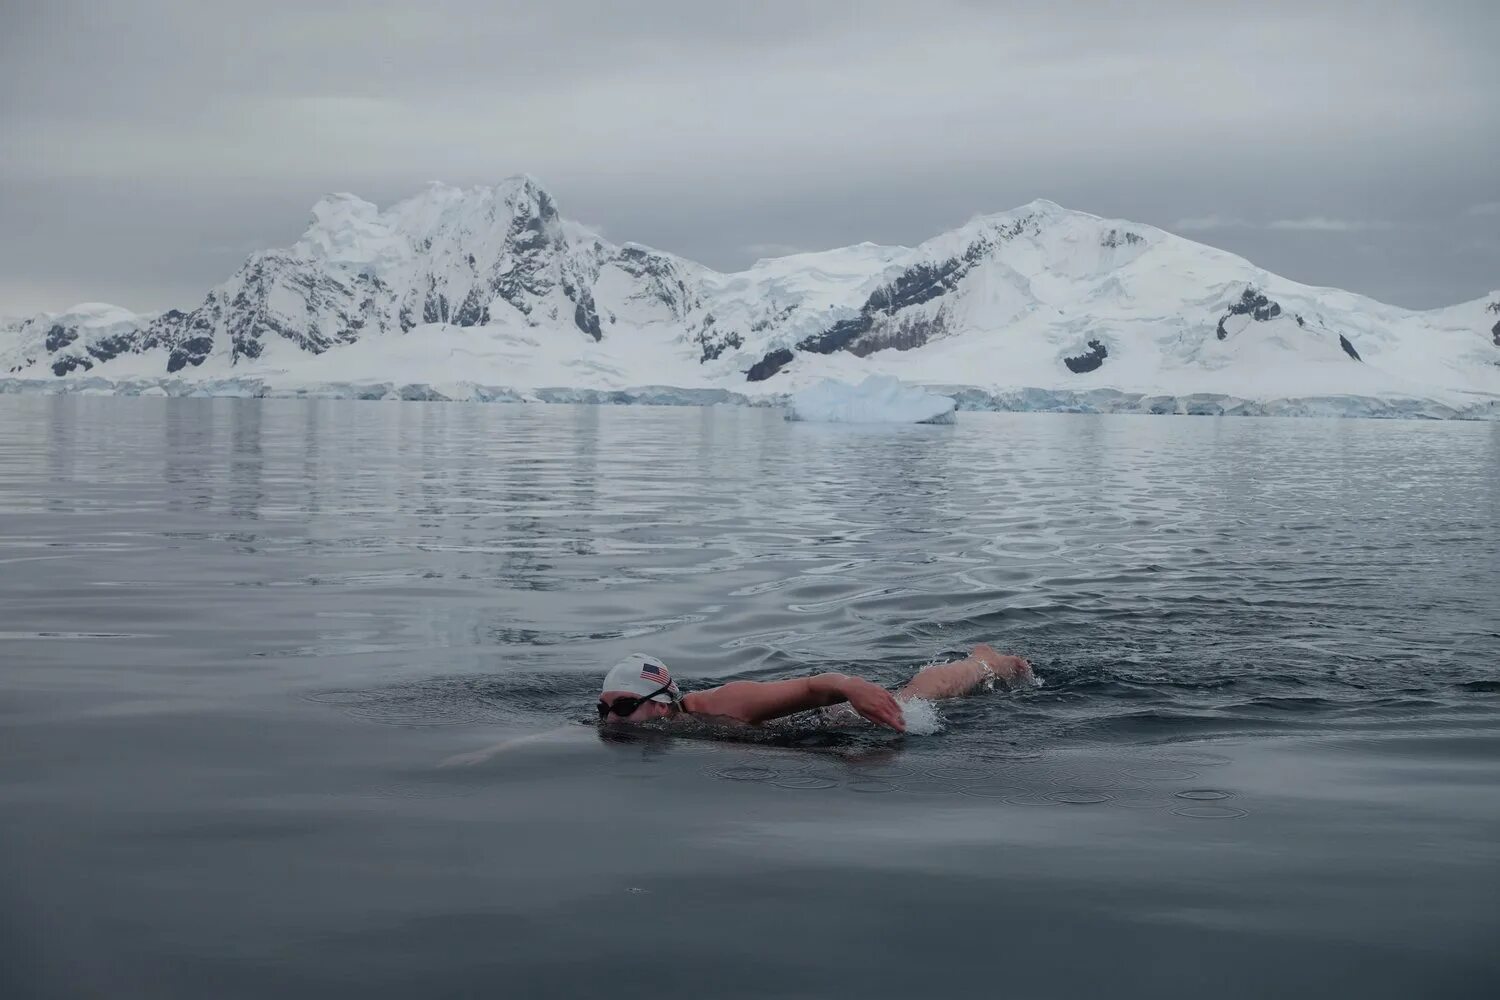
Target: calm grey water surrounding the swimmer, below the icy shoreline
238	639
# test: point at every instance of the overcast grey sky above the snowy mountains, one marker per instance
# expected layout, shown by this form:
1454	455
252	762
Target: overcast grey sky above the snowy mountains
148	146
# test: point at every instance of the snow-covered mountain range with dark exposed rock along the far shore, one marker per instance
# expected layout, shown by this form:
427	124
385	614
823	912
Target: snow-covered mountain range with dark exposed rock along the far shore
491	287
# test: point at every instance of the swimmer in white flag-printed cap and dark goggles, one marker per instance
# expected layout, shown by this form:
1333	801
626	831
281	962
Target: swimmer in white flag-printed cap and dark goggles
641	689
